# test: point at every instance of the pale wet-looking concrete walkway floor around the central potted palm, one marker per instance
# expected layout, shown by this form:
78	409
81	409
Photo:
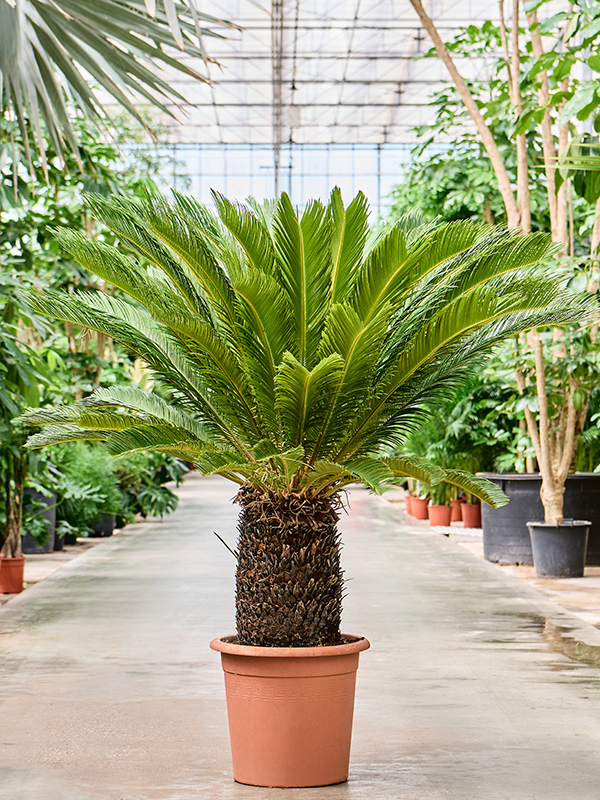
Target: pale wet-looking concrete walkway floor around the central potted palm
476	687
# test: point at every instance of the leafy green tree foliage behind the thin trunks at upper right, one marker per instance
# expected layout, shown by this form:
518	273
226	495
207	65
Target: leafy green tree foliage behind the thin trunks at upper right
450	175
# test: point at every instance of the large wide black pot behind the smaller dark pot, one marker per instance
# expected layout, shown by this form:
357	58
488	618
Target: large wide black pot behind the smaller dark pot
506	538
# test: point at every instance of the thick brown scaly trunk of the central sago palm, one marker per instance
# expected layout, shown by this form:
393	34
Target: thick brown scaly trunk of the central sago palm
289	583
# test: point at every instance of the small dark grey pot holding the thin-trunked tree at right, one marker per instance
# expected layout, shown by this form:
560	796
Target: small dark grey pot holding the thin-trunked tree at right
559	550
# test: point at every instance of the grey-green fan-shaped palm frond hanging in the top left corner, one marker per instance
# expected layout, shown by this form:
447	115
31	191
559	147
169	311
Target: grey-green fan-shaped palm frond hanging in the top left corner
49	47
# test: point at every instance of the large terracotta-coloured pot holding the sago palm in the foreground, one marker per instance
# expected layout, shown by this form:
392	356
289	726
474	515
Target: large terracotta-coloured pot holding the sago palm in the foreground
290	711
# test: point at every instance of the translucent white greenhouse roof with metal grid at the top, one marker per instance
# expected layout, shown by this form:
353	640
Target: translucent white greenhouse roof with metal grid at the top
320	72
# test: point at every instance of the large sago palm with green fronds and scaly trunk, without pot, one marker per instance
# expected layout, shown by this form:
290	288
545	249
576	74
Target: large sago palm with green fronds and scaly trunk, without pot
294	359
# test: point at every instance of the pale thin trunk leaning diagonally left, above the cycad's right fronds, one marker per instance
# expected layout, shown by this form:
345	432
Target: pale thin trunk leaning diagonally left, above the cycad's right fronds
512	212
